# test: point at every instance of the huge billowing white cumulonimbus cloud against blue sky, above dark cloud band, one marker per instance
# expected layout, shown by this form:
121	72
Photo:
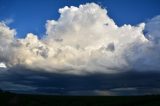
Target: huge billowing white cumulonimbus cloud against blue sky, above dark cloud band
84	40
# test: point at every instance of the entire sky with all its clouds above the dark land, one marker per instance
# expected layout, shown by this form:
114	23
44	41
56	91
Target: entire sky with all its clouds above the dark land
80	47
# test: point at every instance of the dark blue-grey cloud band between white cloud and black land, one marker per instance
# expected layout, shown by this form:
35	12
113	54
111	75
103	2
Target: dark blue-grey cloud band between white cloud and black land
40	82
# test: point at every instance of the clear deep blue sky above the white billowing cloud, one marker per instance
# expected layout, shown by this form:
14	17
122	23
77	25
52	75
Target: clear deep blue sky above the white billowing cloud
31	15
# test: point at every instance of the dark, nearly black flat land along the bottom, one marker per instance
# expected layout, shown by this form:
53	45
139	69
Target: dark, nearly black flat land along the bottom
9	99
